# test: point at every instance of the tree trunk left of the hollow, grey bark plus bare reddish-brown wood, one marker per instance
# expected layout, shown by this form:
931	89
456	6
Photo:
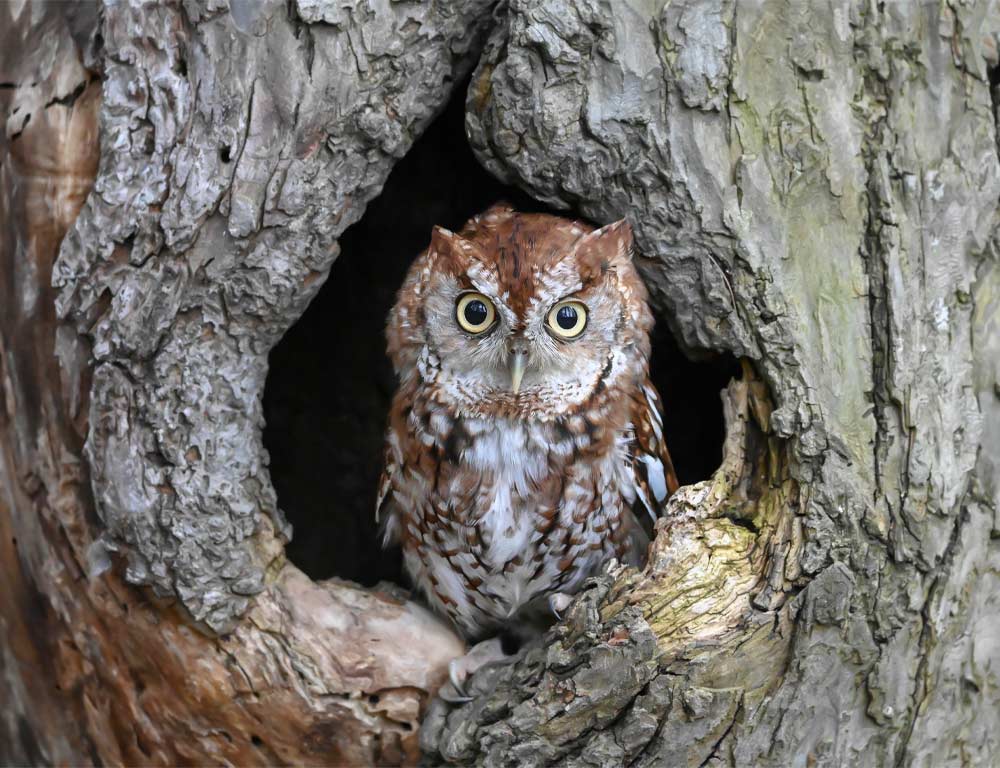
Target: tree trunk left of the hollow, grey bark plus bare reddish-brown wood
235	147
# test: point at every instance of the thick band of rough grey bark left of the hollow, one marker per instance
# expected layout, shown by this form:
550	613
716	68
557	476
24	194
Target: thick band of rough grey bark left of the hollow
236	147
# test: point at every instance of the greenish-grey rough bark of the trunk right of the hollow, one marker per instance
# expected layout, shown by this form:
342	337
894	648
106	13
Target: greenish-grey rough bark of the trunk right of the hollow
815	188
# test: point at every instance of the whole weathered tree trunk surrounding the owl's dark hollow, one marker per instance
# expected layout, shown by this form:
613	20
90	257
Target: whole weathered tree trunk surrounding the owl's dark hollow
813	189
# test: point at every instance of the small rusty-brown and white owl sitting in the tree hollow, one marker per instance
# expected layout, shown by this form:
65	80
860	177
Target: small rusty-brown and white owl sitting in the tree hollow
525	435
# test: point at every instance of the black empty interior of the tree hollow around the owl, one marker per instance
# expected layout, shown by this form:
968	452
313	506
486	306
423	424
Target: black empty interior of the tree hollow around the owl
330	383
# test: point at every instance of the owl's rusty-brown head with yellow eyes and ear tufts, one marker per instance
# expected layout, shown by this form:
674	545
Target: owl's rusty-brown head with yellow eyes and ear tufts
521	315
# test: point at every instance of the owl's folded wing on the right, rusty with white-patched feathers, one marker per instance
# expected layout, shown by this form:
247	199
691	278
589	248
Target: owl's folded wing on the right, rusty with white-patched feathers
652	469
